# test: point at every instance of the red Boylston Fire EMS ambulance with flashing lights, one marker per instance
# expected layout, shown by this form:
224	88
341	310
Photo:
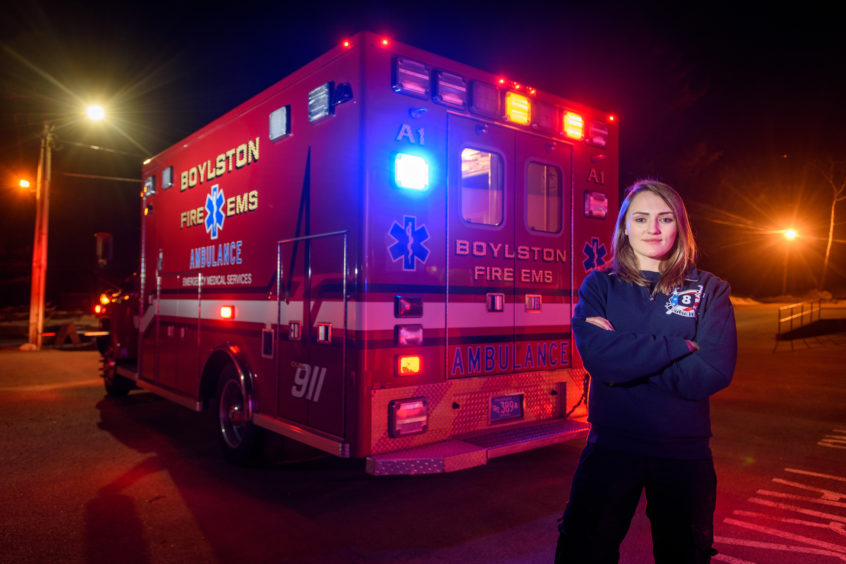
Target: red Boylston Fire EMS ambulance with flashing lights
378	257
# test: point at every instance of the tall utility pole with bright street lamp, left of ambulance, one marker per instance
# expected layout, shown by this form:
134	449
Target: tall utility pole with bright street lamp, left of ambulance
39	245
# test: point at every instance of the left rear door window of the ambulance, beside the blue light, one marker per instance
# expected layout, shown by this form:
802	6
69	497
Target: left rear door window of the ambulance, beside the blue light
481	187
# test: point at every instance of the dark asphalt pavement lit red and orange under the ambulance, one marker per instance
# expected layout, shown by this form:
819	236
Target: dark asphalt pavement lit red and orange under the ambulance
85	478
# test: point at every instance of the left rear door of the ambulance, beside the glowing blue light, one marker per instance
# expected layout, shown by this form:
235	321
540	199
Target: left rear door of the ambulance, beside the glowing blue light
481	249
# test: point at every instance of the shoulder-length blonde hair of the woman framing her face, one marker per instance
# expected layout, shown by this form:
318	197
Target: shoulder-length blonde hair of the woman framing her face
679	261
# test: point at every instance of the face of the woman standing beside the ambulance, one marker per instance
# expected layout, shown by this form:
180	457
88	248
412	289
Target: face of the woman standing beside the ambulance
651	228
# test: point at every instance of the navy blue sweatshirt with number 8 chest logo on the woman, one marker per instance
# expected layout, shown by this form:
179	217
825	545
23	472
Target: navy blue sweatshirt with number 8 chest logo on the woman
649	393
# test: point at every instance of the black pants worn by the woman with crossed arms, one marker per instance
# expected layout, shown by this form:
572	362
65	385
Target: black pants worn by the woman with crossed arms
680	501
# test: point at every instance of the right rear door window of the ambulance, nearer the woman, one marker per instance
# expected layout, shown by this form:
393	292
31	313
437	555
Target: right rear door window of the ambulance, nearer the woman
544	198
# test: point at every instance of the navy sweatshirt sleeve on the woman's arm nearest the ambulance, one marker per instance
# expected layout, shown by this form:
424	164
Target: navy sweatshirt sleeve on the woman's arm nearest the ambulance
618	357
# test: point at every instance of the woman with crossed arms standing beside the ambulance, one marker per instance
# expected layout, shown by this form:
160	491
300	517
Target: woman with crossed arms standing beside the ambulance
658	338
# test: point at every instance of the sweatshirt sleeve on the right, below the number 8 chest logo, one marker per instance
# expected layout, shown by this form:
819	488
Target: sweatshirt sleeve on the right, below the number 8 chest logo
709	369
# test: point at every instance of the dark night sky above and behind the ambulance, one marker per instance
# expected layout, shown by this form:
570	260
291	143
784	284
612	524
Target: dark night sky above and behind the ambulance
740	108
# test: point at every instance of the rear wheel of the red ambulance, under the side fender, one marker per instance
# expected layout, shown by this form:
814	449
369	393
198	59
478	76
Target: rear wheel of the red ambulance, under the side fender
240	439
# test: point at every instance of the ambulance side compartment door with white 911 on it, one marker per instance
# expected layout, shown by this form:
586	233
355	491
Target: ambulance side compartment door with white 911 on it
312	331
